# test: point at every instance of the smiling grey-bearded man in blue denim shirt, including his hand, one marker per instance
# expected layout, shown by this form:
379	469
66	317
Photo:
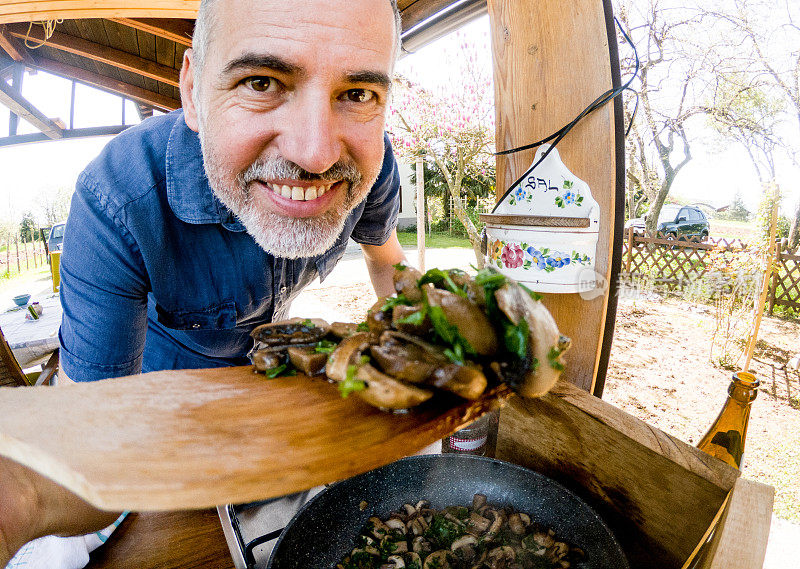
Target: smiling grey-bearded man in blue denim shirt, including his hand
195	227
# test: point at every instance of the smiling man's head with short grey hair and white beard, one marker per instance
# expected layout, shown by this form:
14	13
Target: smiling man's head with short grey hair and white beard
290	106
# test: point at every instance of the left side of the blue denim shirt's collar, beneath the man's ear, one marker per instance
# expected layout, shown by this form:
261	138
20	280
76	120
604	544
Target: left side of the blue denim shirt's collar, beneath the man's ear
188	192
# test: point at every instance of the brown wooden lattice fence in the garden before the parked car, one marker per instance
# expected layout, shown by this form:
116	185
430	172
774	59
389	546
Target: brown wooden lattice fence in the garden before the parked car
676	264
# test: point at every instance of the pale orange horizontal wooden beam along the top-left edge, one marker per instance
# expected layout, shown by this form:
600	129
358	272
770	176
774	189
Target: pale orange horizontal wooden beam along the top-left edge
27	11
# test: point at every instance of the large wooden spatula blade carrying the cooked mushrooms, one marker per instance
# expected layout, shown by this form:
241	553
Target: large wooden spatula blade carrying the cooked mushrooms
198	438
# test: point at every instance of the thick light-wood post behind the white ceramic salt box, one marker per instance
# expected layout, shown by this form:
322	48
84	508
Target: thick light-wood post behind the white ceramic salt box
551	60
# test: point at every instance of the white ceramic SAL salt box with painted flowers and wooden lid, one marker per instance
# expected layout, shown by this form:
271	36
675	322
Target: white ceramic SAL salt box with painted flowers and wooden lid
544	232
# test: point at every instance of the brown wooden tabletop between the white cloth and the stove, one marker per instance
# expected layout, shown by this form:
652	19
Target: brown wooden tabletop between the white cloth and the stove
166	540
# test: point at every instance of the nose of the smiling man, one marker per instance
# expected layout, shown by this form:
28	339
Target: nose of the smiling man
311	137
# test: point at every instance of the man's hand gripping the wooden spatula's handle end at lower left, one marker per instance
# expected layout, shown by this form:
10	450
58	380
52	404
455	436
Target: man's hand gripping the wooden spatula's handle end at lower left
33	506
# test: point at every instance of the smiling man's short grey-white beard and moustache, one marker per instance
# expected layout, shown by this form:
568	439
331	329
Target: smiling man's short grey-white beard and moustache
282	236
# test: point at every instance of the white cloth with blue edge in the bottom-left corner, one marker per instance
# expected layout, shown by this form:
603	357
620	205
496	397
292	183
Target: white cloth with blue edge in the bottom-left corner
53	552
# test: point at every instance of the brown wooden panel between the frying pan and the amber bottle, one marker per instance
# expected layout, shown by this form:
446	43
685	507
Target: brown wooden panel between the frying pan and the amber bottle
658	494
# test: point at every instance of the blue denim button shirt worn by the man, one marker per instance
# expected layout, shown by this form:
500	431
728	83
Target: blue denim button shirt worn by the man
157	274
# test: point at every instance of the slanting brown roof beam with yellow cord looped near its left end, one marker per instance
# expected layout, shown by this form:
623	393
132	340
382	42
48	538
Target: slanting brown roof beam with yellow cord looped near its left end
98	52
